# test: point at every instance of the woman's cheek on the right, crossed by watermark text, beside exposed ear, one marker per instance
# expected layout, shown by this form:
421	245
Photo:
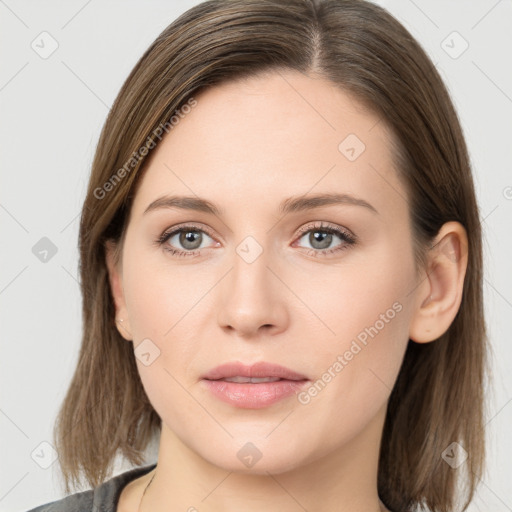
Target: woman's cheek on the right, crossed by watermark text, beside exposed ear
365	310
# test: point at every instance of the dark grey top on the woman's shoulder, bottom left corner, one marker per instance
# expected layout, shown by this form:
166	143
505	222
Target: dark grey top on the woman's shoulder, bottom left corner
104	497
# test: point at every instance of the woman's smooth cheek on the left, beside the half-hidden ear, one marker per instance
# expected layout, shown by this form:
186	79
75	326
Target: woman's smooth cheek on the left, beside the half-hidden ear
165	308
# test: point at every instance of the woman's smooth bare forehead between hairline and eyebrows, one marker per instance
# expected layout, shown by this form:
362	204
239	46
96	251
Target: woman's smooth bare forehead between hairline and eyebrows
258	140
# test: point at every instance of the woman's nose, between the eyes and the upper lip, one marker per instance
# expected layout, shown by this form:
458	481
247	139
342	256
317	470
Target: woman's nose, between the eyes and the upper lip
252	299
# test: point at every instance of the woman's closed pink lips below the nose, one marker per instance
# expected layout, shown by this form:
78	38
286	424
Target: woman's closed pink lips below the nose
253	387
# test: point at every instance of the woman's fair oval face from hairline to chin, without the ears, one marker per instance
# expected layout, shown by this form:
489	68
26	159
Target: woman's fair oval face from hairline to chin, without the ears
322	288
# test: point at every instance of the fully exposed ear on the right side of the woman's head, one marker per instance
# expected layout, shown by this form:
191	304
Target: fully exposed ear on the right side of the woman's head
439	295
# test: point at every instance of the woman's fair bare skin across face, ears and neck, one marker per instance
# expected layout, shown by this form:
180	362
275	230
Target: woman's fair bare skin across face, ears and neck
246	146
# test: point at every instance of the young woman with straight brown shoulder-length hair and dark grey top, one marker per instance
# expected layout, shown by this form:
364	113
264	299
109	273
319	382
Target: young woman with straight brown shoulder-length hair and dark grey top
281	272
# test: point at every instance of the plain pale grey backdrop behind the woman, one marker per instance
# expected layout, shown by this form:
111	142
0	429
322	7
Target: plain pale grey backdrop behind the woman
53	108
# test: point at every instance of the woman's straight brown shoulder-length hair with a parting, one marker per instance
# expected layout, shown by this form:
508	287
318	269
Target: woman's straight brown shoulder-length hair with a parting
438	397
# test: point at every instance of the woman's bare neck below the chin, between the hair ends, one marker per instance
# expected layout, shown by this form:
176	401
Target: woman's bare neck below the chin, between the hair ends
342	480
